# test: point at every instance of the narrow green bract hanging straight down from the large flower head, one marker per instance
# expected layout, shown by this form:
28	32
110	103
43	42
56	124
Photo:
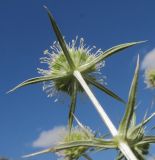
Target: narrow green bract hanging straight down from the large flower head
72	105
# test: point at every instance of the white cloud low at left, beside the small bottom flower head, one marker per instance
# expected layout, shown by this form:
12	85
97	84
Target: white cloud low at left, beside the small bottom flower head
50	137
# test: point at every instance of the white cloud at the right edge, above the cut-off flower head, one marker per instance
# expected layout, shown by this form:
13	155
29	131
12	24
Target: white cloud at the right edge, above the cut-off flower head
149	60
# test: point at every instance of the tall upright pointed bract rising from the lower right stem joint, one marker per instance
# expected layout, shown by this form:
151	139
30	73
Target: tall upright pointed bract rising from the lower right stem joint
125	123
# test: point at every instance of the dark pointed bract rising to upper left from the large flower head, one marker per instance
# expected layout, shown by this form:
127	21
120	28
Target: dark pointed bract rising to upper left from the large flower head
60	39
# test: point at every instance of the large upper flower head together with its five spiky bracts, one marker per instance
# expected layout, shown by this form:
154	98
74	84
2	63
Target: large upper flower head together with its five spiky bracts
62	67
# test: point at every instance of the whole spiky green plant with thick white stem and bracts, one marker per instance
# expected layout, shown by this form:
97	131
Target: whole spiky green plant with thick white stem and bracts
72	67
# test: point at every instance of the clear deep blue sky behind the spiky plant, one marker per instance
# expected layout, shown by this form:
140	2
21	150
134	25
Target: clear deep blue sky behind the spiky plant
25	32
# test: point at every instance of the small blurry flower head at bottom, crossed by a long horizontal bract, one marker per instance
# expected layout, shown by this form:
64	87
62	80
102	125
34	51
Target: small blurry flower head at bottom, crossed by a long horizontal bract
77	134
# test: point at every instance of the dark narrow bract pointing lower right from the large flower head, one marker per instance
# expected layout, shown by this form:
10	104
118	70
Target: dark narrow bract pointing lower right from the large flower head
103	88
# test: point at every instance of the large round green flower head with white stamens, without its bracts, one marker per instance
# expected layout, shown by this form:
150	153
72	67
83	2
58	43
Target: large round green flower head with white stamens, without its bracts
58	65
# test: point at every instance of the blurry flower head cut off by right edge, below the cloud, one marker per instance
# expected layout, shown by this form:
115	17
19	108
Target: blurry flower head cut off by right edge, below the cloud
150	78
